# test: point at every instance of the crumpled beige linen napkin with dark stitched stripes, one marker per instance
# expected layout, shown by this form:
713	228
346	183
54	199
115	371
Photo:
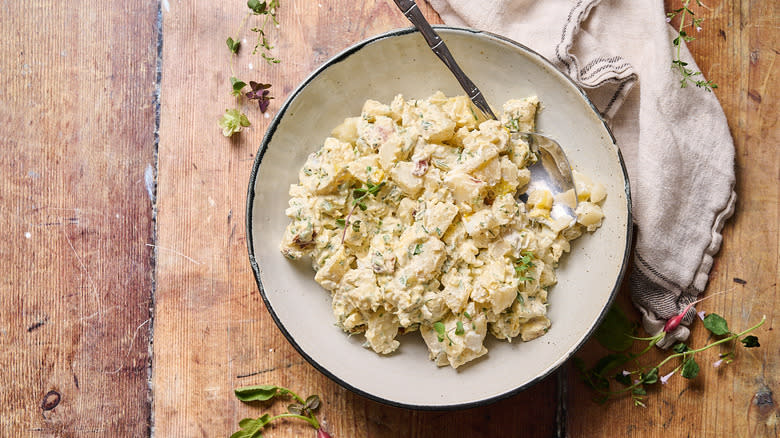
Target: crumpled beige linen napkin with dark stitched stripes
676	143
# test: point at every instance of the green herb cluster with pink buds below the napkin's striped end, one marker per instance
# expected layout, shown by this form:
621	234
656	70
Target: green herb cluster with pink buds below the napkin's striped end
617	334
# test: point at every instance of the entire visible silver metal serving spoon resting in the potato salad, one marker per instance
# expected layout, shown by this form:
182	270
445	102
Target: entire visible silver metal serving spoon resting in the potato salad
551	171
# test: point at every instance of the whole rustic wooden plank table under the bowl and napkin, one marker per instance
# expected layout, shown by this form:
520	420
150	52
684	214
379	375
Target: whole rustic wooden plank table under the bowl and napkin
128	305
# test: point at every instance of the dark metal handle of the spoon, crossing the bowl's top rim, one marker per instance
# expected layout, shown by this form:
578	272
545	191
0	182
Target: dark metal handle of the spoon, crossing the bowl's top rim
413	13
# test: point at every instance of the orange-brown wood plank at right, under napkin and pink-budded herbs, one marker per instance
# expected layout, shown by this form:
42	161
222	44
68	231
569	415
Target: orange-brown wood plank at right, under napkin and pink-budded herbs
737	50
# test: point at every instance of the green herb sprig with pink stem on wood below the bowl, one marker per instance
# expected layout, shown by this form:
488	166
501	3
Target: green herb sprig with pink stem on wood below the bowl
301	409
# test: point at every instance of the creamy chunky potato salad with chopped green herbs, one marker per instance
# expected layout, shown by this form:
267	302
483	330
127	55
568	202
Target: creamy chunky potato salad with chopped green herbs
410	216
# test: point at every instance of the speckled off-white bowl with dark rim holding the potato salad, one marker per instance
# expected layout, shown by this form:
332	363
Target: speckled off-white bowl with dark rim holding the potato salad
400	62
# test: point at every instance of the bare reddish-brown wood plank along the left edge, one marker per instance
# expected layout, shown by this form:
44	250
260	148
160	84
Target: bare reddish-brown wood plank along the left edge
77	84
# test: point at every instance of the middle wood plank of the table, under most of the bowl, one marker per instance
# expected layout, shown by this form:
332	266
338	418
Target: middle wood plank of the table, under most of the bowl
212	332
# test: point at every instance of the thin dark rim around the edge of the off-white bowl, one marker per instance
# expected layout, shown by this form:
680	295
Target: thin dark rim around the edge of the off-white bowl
256	269
